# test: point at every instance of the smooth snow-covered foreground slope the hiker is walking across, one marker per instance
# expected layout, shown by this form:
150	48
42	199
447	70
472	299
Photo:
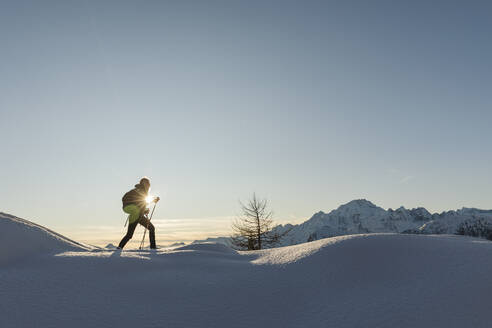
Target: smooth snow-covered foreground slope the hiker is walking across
366	280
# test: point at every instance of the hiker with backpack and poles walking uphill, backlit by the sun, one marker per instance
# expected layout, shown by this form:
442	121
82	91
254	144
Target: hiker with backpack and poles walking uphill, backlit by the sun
135	205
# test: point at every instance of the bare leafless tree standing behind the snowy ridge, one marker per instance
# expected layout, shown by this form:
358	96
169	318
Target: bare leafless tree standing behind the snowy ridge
253	228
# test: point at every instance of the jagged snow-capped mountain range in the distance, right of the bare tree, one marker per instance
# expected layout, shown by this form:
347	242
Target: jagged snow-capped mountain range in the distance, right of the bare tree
362	216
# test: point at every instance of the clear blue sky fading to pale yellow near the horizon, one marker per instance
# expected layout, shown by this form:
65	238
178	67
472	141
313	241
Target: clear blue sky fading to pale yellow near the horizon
310	104
